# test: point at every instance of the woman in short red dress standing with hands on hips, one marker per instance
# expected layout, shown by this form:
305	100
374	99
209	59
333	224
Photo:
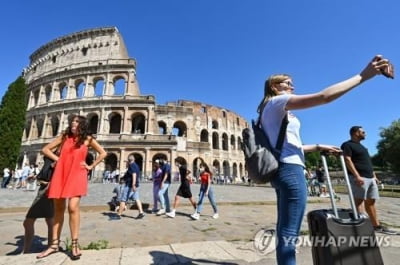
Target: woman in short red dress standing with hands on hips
69	180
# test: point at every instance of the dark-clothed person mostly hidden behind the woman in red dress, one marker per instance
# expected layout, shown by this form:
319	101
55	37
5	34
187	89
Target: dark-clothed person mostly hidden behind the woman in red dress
42	207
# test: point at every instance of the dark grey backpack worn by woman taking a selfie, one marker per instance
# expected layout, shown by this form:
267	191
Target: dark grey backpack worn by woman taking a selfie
262	160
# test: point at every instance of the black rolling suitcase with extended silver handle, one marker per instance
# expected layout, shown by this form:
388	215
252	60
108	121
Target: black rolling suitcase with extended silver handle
342	236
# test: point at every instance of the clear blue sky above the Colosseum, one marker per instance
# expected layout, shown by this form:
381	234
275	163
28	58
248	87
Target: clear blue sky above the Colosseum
221	51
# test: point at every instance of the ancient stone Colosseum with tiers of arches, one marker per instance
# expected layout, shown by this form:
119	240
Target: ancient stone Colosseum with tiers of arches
90	73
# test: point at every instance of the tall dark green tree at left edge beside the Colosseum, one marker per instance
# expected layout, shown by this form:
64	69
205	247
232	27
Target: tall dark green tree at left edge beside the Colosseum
12	121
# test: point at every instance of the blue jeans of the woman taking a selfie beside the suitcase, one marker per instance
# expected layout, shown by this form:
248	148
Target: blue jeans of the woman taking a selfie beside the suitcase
291	191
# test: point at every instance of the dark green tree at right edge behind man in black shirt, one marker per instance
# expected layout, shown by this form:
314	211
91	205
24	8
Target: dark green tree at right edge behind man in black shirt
389	146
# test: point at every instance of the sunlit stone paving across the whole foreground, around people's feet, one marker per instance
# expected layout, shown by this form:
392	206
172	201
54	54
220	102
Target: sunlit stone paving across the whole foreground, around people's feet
243	210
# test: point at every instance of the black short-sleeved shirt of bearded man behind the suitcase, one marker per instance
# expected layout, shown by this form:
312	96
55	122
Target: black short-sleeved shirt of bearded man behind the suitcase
360	158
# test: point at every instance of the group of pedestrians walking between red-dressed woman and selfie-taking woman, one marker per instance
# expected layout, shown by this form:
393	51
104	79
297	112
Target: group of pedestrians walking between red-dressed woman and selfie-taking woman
161	178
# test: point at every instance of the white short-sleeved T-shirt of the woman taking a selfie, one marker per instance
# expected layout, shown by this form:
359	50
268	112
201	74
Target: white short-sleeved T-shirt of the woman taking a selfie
271	120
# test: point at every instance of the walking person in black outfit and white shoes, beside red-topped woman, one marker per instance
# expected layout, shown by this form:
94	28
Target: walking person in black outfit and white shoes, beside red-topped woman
184	189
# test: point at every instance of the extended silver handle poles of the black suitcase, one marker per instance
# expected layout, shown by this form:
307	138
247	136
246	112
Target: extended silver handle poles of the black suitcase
346	176
